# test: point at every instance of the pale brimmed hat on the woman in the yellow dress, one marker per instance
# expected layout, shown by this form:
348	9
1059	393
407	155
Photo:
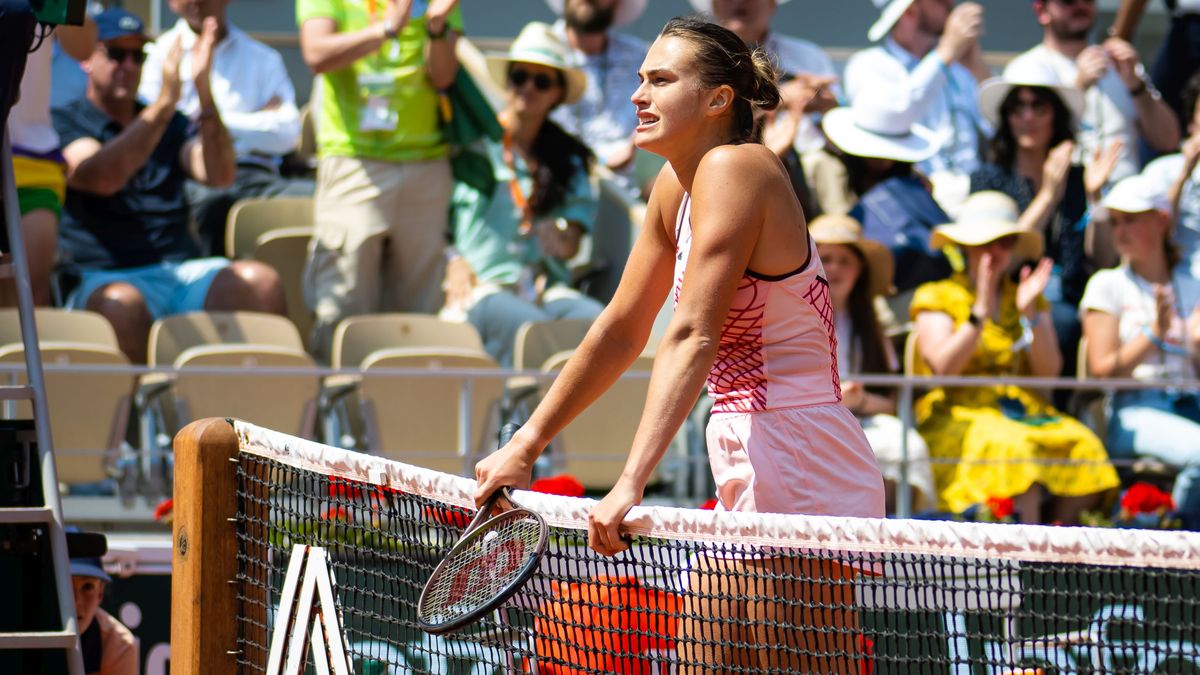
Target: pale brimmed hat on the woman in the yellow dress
985	218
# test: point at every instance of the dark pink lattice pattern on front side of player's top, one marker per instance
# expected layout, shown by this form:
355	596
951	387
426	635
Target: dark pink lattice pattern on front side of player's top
739	381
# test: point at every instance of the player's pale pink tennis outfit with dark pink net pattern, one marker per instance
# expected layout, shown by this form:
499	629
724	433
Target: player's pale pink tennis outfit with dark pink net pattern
781	440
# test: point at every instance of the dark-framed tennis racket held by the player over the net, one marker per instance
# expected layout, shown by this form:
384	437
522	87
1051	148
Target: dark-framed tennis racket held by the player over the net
491	561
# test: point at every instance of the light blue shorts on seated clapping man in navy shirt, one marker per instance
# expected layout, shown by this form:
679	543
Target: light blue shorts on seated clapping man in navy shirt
169	289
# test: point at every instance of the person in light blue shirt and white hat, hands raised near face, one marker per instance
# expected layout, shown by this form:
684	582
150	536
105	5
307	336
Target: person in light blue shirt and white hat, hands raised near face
932	51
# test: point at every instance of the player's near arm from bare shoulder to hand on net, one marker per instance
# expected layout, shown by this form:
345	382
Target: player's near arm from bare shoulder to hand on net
729	201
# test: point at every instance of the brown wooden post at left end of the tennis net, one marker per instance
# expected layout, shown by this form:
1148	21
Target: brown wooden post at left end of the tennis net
205	563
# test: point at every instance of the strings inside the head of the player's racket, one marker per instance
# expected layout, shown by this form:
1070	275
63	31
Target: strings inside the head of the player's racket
483	566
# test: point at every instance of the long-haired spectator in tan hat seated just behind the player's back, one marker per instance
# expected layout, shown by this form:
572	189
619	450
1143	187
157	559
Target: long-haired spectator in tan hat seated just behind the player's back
859	272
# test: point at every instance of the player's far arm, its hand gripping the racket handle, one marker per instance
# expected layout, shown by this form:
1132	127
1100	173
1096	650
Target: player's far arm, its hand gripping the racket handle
615	341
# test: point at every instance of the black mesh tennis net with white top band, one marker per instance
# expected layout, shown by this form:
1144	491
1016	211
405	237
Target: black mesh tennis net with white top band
350	540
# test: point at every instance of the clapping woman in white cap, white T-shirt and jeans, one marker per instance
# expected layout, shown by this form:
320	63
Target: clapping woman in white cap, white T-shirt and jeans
1143	320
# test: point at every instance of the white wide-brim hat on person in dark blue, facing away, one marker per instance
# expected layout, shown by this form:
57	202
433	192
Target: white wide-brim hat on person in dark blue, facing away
871	132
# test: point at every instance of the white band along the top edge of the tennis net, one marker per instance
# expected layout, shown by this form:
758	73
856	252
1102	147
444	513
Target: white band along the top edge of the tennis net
1022	543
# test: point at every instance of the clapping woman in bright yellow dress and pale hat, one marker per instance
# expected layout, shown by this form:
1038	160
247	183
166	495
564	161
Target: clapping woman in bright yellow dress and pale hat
995	441
